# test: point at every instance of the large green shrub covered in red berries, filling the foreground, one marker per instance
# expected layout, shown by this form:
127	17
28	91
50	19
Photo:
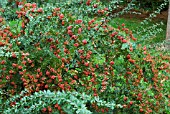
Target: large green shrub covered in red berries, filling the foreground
71	48
